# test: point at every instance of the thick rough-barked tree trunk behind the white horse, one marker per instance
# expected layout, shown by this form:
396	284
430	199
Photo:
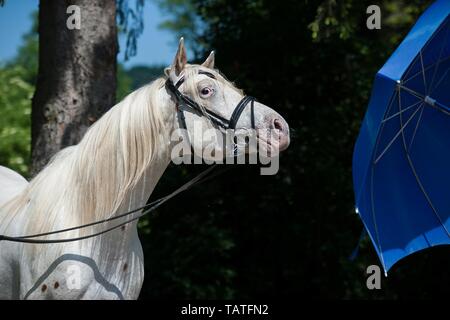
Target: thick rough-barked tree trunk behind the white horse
77	74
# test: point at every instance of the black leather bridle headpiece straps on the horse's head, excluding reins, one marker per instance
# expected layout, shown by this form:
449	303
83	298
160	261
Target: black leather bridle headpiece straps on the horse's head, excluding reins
184	103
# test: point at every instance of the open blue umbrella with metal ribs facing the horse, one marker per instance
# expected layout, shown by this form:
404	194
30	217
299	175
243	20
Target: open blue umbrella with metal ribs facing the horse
401	161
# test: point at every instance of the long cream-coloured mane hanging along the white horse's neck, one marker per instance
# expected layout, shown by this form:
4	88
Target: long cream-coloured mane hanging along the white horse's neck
89	181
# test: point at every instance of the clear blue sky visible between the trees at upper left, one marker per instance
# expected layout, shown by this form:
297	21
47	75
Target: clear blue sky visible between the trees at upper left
155	46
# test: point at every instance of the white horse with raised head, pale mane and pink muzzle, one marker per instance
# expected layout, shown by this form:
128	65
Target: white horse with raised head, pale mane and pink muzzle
112	170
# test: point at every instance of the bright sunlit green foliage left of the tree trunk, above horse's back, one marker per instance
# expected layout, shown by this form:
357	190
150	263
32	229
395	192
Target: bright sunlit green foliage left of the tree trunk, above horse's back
15	109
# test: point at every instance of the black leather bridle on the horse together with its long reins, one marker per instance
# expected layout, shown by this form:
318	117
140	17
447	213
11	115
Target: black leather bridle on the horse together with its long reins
183	103
